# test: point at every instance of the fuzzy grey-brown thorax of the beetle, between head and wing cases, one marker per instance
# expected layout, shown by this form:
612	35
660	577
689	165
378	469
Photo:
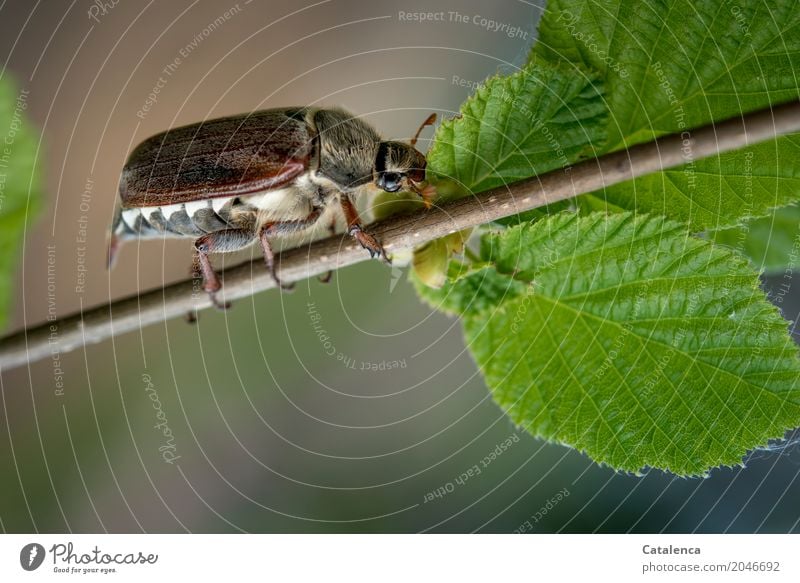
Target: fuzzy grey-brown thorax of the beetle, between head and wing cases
347	148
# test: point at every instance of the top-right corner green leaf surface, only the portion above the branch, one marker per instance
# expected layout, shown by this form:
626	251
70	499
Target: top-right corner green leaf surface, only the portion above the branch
669	65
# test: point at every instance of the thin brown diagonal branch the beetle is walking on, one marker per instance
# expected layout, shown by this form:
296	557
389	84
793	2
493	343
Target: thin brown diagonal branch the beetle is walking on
400	232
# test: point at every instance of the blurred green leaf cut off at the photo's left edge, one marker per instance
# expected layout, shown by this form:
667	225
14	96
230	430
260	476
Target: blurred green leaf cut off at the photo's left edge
19	183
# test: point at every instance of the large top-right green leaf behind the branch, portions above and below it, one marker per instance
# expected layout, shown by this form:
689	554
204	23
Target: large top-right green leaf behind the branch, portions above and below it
673	65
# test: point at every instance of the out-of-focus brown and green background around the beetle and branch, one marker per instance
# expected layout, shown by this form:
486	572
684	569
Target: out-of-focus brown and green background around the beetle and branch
273	429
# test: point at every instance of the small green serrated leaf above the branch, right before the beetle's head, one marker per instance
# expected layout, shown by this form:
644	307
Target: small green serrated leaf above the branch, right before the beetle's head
541	118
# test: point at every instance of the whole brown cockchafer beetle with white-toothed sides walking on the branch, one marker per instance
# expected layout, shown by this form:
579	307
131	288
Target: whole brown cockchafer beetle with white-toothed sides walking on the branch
234	181
